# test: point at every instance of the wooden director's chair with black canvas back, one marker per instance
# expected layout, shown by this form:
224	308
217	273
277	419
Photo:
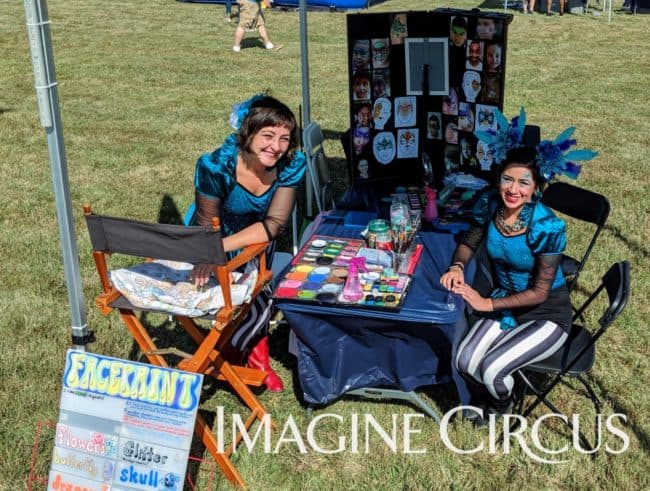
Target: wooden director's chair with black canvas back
196	244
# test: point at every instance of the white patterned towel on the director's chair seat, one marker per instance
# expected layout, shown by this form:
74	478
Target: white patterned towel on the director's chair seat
164	285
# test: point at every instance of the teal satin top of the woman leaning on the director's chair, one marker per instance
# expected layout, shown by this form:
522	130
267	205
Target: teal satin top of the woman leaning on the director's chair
215	177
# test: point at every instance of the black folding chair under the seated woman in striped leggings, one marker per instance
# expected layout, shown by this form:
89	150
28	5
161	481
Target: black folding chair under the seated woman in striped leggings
578	354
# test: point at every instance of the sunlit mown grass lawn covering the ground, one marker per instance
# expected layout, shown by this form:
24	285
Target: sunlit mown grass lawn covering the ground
145	87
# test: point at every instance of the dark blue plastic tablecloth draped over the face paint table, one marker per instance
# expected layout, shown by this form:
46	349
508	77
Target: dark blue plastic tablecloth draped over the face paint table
345	348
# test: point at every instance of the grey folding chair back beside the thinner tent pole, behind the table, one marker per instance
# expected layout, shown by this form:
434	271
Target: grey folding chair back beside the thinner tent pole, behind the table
318	167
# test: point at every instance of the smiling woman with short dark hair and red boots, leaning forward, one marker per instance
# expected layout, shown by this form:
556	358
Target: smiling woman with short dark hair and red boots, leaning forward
250	183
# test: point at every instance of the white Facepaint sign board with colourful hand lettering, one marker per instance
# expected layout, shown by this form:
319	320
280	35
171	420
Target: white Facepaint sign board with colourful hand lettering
123	425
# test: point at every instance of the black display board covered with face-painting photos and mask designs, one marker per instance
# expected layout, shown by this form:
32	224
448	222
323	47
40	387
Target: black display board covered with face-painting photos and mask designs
423	82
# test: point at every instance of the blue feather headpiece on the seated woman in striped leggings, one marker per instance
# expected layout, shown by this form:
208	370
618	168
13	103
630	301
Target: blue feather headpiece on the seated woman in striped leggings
553	157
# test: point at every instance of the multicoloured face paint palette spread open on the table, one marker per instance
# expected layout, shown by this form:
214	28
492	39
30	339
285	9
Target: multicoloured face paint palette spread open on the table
319	271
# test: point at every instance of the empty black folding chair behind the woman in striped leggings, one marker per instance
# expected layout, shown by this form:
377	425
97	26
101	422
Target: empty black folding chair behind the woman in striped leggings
583	205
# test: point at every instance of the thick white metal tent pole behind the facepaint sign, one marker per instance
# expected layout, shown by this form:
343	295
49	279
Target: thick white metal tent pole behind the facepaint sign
40	43
